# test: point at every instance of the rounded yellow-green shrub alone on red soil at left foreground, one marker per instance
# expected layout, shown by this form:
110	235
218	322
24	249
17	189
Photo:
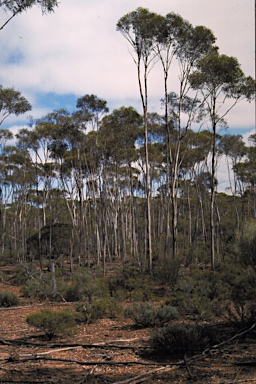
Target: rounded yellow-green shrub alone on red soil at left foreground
53	323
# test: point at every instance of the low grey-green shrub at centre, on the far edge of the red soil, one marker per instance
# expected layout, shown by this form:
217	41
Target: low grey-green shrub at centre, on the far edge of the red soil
146	315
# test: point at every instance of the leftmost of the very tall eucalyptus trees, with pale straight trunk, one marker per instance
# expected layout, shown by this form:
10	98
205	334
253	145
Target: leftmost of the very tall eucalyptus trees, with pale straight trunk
138	28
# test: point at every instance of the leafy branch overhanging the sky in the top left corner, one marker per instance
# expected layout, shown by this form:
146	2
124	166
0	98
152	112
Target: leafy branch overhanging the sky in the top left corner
16	7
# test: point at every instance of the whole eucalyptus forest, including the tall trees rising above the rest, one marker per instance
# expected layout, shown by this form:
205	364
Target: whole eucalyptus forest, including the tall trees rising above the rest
93	186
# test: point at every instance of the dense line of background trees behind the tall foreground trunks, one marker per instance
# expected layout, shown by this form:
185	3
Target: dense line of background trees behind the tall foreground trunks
69	194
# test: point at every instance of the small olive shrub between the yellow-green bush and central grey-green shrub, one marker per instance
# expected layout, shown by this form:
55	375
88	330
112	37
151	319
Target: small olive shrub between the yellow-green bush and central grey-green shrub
90	312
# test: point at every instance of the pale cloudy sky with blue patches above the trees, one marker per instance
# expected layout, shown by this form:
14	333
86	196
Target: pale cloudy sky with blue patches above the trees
57	58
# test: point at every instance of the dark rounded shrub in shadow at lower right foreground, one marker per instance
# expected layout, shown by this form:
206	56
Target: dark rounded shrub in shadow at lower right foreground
181	339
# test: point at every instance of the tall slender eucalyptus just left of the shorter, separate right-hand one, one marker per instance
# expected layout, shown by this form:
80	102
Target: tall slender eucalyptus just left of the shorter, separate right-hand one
193	43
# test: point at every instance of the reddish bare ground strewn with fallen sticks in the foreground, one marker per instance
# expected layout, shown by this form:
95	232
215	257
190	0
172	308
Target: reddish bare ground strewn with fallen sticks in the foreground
99	353
